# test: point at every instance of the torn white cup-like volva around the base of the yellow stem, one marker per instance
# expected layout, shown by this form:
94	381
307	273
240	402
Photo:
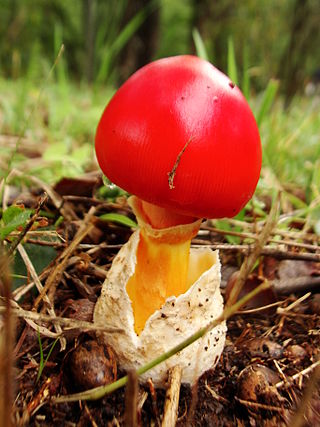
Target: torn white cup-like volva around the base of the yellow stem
175	321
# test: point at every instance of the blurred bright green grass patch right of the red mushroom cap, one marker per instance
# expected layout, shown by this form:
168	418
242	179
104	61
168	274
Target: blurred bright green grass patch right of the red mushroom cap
291	144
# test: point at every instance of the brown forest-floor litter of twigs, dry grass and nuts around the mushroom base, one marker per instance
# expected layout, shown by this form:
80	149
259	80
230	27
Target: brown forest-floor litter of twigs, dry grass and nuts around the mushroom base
268	373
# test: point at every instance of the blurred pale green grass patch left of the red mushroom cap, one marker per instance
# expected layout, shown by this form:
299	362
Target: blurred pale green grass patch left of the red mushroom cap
59	136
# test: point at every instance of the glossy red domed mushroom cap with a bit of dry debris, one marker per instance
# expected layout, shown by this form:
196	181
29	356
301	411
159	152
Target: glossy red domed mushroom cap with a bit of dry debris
179	134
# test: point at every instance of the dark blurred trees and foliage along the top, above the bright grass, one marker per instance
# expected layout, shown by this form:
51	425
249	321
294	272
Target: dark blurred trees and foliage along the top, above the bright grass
107	40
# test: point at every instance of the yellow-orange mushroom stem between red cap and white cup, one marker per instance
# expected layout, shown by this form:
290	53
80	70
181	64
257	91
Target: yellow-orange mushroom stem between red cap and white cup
163	263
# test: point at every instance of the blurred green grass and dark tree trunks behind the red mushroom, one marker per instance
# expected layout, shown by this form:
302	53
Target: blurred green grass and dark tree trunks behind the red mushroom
51	101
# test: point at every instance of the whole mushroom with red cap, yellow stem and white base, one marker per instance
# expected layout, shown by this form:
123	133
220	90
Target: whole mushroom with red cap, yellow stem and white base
181	138
